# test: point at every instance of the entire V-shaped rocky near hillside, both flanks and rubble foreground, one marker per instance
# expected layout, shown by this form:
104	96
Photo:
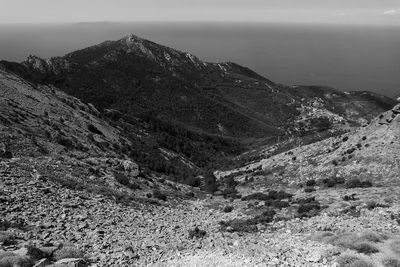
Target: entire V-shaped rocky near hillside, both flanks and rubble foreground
69	198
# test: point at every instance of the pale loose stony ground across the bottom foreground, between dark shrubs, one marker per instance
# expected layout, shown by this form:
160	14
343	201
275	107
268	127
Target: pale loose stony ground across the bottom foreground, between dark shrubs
143	233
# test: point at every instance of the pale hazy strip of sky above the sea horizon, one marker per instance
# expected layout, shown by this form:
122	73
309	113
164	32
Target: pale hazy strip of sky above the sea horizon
306	11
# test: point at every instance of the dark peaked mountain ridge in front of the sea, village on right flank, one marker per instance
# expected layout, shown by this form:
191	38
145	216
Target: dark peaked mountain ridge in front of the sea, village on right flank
137	76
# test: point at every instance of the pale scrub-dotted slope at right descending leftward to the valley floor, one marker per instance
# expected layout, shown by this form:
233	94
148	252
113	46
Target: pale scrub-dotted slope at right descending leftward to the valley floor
370	152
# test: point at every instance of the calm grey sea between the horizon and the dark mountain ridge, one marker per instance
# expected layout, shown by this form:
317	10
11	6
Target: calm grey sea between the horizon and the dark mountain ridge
341	56
